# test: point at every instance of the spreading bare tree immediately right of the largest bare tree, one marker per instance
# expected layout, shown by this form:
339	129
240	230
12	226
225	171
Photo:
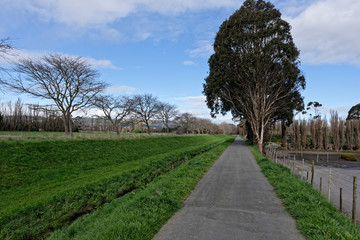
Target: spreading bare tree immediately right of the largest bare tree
115	109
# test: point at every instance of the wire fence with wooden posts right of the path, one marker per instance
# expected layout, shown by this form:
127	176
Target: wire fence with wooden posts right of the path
336	183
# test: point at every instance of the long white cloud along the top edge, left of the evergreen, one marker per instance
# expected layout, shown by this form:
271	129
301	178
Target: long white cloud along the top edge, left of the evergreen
87	13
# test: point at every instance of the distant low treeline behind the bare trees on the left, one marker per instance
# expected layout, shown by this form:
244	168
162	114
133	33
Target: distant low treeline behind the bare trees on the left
23	117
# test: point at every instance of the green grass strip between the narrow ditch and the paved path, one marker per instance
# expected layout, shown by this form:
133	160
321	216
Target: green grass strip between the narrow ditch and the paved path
140	214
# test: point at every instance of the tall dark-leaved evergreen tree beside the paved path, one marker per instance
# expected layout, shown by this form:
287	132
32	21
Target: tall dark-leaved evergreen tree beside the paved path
255	69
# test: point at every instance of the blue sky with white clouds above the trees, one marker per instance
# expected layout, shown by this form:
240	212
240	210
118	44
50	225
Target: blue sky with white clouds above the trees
162	47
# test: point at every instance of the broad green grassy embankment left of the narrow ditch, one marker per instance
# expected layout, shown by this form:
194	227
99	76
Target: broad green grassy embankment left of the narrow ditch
46	185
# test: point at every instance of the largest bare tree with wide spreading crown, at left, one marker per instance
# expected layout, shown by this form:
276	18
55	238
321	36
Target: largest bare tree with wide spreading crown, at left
70	82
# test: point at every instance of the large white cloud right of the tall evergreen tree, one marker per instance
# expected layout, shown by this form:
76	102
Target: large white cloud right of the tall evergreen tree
328	32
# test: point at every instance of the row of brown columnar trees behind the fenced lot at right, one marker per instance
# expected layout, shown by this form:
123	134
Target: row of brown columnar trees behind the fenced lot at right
337	134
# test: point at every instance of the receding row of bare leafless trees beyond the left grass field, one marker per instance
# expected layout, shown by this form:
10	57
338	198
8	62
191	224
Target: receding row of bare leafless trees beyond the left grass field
73	85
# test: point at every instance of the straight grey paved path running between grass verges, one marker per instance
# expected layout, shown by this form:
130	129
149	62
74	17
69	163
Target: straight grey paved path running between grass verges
233	201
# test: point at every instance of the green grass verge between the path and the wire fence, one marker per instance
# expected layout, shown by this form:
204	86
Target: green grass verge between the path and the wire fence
316	218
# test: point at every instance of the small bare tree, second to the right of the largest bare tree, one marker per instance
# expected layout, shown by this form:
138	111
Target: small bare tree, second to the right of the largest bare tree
146	108
